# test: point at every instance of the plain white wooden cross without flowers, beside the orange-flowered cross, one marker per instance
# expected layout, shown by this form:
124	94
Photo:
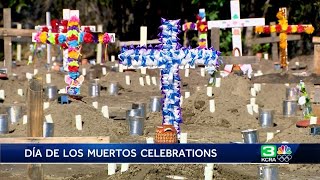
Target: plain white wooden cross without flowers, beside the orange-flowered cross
236	23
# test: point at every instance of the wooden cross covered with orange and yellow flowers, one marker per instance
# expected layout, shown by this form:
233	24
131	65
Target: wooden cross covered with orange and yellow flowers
283	28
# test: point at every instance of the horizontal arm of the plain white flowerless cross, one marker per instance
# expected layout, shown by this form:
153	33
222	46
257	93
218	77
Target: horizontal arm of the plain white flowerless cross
236	23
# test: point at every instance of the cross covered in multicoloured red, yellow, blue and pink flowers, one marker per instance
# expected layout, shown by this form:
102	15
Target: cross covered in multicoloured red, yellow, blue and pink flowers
71	41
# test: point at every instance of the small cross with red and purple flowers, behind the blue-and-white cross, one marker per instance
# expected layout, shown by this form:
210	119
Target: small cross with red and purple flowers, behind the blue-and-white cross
201	26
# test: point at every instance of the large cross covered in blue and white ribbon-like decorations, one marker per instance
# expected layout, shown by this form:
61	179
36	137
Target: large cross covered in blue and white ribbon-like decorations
168	56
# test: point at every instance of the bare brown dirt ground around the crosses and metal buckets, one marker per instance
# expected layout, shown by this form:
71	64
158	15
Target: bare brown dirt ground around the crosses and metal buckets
222	126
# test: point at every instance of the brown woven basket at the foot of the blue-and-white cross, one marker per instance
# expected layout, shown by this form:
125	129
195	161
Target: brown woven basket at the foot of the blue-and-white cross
166	134
